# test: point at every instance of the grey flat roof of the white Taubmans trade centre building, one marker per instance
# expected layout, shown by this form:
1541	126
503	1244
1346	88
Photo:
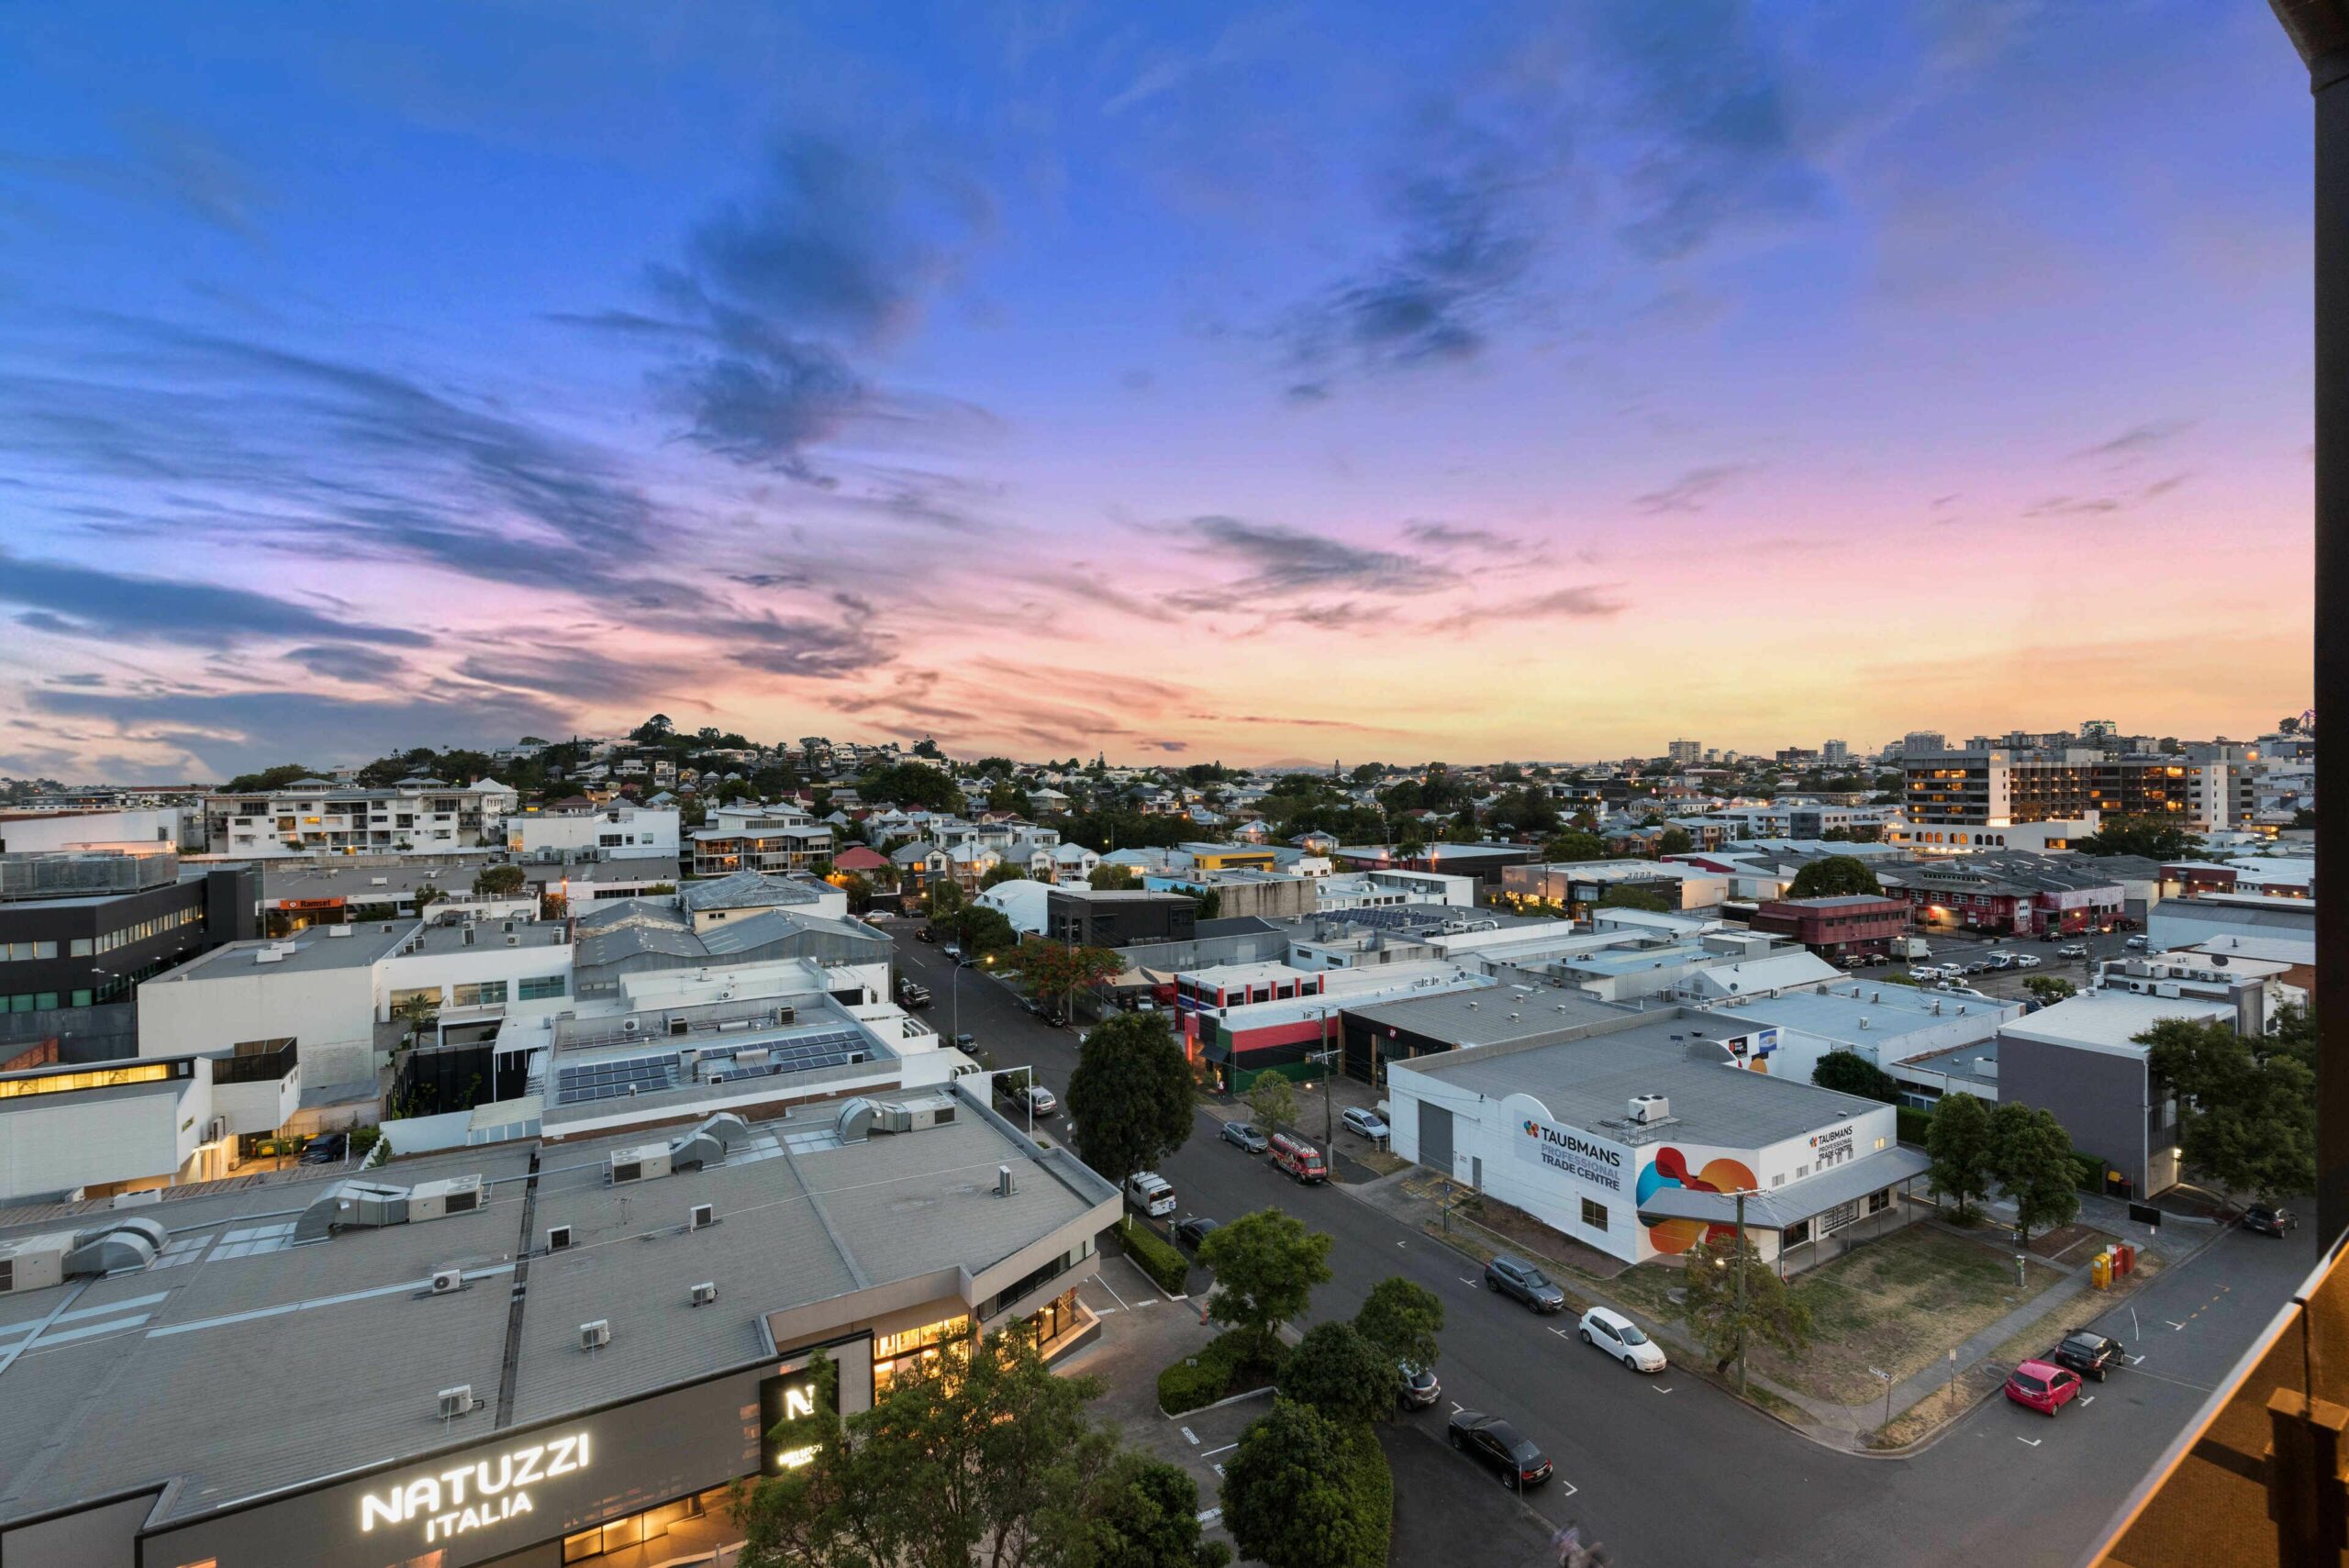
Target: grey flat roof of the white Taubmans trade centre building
1589	1083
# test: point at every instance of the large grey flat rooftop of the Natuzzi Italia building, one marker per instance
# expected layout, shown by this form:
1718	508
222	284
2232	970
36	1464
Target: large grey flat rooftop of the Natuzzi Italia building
351	1344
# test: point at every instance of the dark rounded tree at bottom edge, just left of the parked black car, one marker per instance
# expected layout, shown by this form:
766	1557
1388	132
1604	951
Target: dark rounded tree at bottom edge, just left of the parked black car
1286	1496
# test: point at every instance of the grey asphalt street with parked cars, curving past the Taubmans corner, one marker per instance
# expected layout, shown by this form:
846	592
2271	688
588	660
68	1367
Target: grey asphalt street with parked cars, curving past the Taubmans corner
1676	1473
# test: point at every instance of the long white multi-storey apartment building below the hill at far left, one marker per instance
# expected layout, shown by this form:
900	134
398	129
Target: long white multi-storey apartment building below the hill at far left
328	818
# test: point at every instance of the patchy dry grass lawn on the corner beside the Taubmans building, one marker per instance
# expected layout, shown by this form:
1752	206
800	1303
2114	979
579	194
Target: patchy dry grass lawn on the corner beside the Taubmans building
1899	1306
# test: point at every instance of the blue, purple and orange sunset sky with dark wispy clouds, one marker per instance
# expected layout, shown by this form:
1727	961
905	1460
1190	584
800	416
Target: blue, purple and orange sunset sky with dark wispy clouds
1190	384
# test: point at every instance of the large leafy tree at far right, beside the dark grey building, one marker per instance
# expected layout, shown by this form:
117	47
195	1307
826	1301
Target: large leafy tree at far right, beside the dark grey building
2247	1107
